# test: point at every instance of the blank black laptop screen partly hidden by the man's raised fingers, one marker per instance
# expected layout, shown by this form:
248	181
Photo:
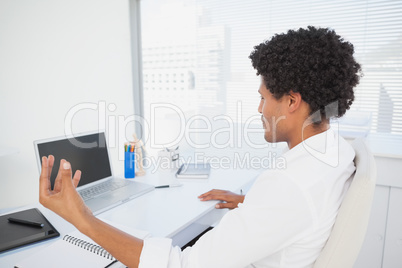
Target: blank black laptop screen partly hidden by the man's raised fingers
87	153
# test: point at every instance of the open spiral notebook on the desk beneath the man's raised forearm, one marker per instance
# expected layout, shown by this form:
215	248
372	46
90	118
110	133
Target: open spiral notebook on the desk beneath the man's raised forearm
75	250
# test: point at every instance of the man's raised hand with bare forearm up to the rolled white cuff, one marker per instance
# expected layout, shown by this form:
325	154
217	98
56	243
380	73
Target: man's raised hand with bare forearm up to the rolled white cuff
66	202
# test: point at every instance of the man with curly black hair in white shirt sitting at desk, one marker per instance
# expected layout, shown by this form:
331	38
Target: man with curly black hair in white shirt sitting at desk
307	76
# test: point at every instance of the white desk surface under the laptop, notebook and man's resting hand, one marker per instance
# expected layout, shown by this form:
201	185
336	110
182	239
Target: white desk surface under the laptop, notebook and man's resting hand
175	212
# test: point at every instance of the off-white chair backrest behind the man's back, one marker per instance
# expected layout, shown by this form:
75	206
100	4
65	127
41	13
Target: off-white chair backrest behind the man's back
348	233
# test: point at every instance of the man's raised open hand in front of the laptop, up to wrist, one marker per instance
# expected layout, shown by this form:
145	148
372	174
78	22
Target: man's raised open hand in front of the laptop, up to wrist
64	198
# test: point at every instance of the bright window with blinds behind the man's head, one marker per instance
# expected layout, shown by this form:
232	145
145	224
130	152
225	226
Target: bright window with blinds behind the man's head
202	47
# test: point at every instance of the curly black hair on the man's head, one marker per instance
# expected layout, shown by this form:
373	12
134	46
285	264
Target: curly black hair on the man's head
316	62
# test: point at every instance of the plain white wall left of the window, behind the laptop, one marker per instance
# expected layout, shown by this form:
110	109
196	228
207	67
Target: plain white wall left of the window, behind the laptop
54	55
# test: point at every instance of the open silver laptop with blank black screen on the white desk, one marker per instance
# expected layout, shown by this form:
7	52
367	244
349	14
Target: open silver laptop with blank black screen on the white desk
88	152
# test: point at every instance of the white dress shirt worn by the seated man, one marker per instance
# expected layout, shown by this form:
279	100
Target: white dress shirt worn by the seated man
284	221
